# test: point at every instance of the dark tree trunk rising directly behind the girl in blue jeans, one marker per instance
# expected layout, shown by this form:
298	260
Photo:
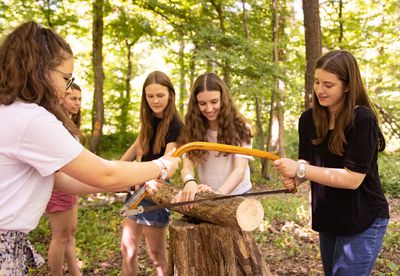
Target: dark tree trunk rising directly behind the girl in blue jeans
312	28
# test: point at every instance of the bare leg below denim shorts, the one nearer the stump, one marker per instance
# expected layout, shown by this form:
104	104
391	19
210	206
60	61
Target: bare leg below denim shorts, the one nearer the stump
156	244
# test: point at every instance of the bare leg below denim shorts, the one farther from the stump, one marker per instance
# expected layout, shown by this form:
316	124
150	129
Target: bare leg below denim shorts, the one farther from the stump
131	234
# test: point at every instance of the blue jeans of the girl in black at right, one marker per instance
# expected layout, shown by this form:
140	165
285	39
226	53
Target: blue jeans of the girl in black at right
352	254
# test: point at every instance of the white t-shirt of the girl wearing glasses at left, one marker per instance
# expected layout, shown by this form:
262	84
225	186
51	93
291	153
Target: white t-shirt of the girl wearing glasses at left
33	145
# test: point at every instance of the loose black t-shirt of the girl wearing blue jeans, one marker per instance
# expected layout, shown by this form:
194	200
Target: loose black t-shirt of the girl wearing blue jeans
345	211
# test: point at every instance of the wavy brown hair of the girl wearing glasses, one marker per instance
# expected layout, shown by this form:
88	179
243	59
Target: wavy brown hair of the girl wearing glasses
27	56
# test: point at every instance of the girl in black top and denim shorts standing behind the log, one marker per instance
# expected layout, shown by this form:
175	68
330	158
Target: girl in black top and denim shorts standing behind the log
160	128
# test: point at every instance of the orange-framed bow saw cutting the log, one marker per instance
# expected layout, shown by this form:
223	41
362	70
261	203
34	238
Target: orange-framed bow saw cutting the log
131	206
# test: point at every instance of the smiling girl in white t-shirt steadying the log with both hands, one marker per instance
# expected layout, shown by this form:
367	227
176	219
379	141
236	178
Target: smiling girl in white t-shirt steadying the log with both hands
213	117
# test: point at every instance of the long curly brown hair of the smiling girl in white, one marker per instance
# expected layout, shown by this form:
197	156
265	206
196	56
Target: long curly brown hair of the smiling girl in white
232	125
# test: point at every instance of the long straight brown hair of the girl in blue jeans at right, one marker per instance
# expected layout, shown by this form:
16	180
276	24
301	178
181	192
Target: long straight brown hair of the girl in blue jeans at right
345	67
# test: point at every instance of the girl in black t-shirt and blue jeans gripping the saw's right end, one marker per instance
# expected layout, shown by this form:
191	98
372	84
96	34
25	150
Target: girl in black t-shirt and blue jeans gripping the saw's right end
339	140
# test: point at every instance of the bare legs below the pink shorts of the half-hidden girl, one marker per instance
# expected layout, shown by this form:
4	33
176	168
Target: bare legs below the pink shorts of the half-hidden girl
63	225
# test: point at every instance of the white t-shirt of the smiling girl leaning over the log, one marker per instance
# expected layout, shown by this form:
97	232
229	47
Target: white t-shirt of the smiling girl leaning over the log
216	169
